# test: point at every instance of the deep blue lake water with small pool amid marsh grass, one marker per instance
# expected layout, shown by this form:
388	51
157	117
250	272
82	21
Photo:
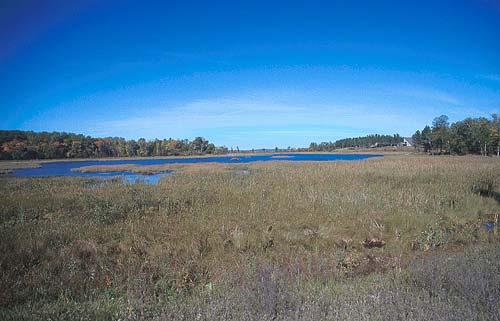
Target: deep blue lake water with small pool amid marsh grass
64	168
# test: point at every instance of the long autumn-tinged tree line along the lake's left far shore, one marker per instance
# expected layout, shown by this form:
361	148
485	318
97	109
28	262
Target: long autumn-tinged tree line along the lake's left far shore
16	145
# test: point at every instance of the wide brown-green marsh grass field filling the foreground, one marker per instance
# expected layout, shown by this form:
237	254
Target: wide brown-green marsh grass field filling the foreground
395	238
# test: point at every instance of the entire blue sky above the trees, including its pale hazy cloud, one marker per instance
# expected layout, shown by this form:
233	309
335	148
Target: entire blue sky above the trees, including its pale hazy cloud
250	74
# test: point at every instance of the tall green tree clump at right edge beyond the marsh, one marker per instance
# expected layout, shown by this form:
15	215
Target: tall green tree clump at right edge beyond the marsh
469	136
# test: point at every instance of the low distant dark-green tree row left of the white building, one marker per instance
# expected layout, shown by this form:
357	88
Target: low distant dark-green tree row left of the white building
365	141
